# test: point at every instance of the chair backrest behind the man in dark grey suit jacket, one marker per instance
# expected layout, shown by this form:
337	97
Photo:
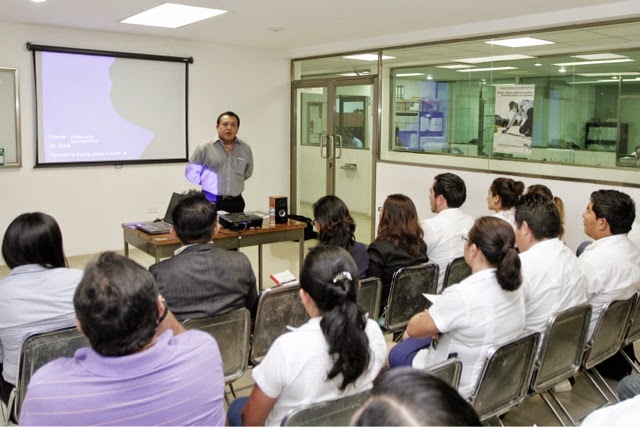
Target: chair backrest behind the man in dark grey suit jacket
232	332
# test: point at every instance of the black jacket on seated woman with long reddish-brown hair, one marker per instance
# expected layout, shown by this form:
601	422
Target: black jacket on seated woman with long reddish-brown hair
385	259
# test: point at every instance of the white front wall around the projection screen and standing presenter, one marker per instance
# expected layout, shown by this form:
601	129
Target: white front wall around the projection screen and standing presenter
90	203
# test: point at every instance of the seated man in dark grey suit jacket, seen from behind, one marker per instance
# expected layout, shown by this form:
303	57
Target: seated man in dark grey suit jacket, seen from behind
201	280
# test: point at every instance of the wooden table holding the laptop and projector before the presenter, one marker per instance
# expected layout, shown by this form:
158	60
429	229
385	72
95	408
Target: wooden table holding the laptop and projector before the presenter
162	245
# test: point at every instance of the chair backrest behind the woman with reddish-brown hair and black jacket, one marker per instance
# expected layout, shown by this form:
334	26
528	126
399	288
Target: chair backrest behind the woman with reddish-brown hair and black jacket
405	296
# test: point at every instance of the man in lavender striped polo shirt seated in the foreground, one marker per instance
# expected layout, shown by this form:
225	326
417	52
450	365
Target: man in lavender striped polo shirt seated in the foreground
143	368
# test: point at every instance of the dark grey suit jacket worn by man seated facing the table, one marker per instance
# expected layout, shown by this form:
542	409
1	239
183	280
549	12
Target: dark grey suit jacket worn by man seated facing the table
203	281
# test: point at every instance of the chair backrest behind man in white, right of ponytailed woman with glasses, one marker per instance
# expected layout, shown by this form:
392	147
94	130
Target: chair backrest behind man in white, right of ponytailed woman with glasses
562	347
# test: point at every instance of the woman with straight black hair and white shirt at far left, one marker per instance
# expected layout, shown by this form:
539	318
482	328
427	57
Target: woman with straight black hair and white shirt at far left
38	294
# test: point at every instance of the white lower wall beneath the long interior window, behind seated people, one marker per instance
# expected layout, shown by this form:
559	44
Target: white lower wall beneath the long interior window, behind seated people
415	181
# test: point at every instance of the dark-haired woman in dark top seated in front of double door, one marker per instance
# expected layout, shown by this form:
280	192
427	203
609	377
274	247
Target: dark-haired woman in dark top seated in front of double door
336	227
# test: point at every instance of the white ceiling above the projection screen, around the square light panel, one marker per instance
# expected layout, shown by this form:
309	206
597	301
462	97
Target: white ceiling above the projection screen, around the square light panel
303	23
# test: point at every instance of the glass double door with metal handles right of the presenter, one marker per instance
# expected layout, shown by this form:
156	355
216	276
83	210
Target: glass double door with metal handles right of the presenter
333	139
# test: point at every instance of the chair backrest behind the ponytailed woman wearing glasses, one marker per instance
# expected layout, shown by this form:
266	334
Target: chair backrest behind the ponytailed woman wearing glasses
506	376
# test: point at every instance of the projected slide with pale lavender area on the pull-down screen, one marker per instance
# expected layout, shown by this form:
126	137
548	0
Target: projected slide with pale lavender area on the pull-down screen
96	109
